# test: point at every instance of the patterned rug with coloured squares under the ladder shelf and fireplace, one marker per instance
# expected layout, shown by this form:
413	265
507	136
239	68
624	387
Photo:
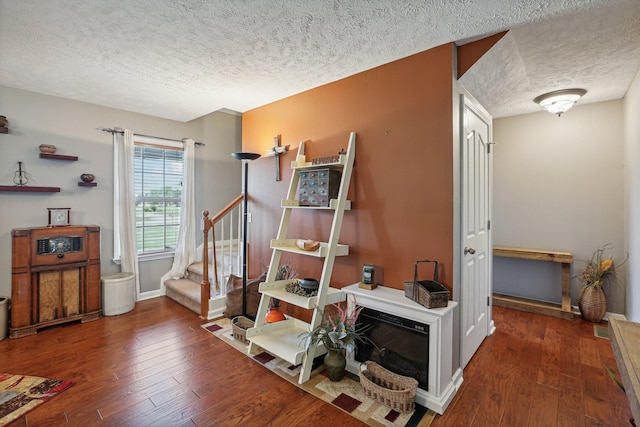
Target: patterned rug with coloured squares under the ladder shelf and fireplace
346	394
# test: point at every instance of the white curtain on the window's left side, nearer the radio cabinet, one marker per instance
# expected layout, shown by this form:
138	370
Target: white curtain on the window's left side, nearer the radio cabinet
124	206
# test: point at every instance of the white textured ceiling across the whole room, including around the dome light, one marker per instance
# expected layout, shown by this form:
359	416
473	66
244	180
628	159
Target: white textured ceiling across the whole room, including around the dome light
182	59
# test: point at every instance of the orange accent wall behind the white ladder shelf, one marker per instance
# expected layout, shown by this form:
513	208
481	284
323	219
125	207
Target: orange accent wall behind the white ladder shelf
402	186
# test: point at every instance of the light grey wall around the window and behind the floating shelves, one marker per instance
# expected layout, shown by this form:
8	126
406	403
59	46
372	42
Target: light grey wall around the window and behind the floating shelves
36	119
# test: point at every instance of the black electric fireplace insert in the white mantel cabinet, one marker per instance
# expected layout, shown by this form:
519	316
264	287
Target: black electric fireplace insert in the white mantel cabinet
398	344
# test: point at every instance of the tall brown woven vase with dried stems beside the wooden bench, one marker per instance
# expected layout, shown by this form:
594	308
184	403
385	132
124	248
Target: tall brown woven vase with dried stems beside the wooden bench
592	301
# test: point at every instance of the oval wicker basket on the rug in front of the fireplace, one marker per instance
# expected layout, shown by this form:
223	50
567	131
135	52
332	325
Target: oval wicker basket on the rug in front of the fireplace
395	391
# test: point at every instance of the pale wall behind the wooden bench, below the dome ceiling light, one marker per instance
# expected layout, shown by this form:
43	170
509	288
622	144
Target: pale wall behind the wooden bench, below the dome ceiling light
558	185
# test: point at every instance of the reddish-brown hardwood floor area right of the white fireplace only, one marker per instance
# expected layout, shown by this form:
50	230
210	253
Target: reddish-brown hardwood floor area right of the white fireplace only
537	370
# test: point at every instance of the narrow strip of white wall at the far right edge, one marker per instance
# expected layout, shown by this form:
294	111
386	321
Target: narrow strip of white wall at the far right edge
632	192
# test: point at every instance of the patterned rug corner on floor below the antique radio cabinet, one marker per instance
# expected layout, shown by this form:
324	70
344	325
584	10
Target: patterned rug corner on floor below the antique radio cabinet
21	393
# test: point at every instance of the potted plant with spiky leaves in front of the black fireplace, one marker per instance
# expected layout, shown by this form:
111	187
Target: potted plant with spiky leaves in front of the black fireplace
338	332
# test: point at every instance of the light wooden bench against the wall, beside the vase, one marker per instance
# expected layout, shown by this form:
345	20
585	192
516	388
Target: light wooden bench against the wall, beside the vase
562	310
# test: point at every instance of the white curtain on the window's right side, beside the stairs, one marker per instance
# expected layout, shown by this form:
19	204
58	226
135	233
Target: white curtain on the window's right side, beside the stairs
186	248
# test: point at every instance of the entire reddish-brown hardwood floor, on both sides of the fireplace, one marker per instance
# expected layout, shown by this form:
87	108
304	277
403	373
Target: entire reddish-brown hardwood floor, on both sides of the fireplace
157	366
